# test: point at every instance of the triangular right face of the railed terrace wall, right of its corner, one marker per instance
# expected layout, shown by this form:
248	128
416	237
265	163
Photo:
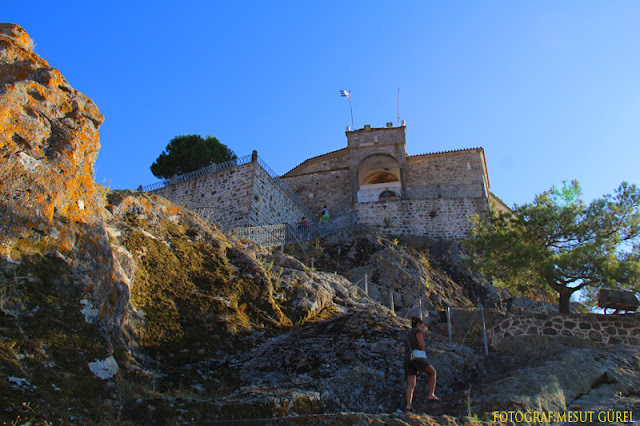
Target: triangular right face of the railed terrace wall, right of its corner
270	203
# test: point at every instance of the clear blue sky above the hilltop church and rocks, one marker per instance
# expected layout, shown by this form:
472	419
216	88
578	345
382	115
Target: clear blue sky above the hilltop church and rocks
550	89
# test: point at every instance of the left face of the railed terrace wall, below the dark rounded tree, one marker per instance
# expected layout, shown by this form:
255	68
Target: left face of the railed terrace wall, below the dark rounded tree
227	195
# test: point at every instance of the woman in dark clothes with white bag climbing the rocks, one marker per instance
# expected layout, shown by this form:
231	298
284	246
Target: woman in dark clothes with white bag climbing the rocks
415	340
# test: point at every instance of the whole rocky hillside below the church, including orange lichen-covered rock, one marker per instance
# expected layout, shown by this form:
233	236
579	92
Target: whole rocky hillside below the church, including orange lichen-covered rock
117	307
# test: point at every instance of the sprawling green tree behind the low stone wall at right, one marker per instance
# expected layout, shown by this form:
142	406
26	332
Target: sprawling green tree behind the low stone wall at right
558	243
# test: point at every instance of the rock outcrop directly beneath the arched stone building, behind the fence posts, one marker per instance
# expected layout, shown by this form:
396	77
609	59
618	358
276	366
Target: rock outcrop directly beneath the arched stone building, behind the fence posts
414	274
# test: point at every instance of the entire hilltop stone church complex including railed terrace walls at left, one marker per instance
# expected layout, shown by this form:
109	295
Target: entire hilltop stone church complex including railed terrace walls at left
372	179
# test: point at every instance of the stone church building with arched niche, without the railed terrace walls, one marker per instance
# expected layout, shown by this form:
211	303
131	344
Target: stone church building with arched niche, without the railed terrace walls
373	177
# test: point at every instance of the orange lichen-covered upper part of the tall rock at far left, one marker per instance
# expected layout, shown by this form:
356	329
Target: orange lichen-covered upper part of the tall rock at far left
49	142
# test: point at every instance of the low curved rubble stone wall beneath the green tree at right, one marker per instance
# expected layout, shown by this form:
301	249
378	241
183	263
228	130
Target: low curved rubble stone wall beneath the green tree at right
609	329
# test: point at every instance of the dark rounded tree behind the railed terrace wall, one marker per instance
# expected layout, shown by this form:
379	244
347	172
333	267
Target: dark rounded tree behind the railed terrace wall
188	153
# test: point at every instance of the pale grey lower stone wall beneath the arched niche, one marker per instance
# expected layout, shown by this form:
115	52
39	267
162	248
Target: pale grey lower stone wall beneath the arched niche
436	218
